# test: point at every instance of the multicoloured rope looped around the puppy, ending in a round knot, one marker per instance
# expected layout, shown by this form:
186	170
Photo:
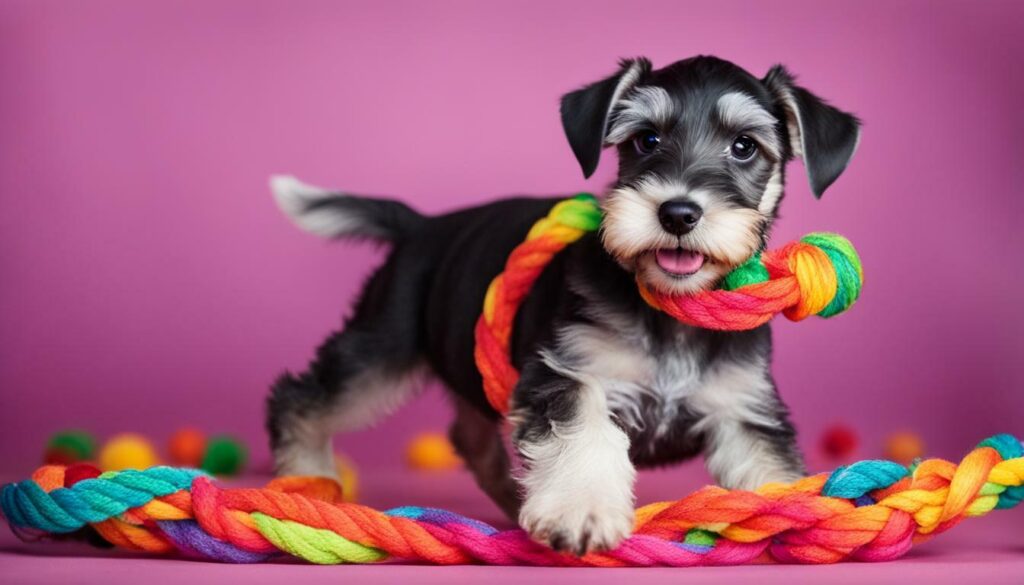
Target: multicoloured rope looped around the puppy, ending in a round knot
820	275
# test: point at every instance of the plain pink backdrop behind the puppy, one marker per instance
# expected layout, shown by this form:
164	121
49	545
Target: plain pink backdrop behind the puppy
149	281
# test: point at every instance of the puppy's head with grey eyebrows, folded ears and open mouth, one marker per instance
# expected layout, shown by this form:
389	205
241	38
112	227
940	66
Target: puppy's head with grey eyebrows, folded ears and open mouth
703	147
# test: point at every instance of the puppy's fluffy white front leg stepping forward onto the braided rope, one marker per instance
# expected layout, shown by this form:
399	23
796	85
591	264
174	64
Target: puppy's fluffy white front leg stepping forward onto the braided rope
578	477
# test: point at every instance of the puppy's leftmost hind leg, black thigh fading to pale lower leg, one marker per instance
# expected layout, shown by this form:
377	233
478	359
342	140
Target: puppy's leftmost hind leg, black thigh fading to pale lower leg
360	375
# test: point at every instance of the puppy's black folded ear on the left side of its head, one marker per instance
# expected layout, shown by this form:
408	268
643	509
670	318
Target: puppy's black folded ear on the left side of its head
586	111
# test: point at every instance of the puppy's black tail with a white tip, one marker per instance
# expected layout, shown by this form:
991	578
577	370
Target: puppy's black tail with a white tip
334	215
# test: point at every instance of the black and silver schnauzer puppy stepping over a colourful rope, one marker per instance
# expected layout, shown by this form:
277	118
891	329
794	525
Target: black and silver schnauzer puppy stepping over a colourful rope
609	385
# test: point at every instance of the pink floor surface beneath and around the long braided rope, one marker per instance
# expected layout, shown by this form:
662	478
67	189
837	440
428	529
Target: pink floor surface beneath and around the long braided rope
987	551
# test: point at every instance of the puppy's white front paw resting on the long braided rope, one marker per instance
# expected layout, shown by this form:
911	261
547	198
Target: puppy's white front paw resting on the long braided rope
579	524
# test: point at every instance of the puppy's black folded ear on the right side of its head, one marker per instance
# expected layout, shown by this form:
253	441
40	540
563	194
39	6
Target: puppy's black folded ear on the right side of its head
825	137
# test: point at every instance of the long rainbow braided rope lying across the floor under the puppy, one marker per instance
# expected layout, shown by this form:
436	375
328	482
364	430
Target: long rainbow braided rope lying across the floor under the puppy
870	511
